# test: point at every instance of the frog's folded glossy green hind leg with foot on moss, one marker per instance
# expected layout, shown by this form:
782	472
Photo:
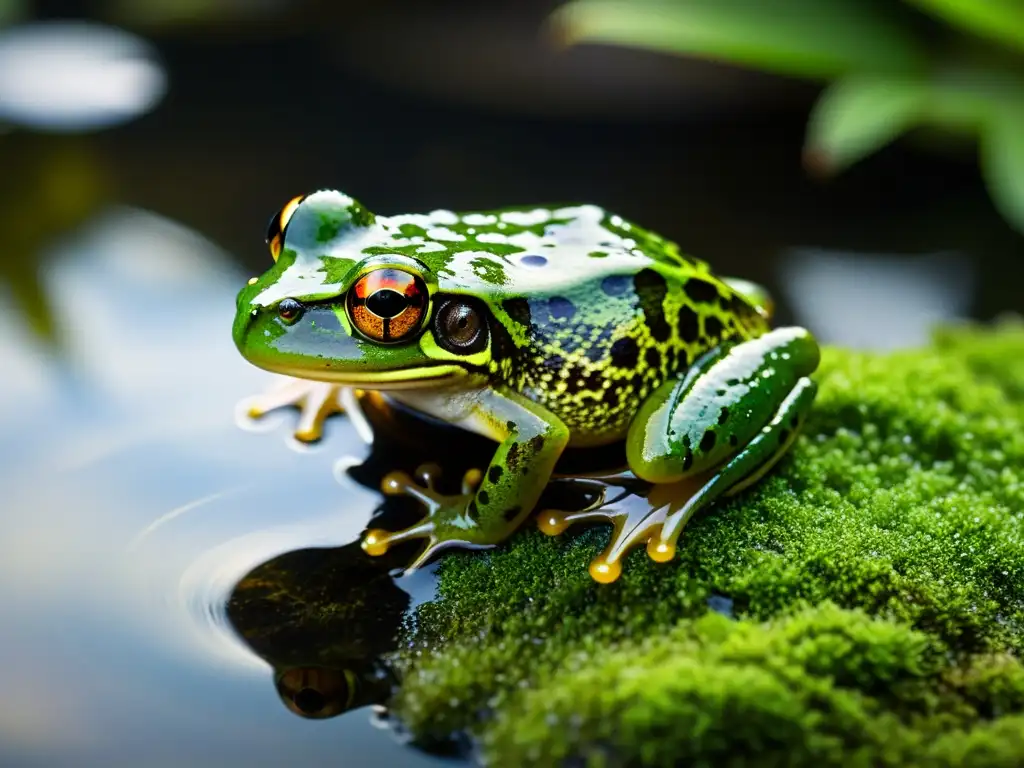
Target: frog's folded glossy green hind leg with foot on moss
711	434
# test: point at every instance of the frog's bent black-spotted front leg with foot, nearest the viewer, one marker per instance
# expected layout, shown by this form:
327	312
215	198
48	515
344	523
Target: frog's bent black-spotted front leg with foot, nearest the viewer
493	503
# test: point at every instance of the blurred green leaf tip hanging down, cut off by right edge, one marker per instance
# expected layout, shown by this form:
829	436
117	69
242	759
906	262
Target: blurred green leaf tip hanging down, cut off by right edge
1003	163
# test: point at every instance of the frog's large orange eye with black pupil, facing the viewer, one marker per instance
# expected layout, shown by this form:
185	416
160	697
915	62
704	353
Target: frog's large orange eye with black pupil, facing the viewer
388	305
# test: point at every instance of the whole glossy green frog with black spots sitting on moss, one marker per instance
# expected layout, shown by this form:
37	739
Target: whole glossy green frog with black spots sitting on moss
539	328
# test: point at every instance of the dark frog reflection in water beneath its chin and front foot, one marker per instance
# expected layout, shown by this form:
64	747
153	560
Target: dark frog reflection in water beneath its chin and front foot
326	619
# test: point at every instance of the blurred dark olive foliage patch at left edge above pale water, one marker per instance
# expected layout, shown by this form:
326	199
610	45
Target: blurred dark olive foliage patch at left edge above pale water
52	186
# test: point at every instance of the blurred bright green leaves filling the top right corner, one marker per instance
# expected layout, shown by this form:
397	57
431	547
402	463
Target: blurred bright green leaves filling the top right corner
955	66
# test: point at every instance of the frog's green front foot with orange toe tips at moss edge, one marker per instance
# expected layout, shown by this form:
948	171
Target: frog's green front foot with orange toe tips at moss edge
447	516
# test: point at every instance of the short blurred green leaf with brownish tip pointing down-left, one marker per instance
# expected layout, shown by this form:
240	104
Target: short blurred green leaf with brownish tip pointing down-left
859	116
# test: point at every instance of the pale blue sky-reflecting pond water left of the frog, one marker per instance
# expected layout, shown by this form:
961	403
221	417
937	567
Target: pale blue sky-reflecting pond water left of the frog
135	502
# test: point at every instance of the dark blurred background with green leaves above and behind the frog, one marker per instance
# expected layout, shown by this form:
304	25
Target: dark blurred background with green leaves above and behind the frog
863	158
